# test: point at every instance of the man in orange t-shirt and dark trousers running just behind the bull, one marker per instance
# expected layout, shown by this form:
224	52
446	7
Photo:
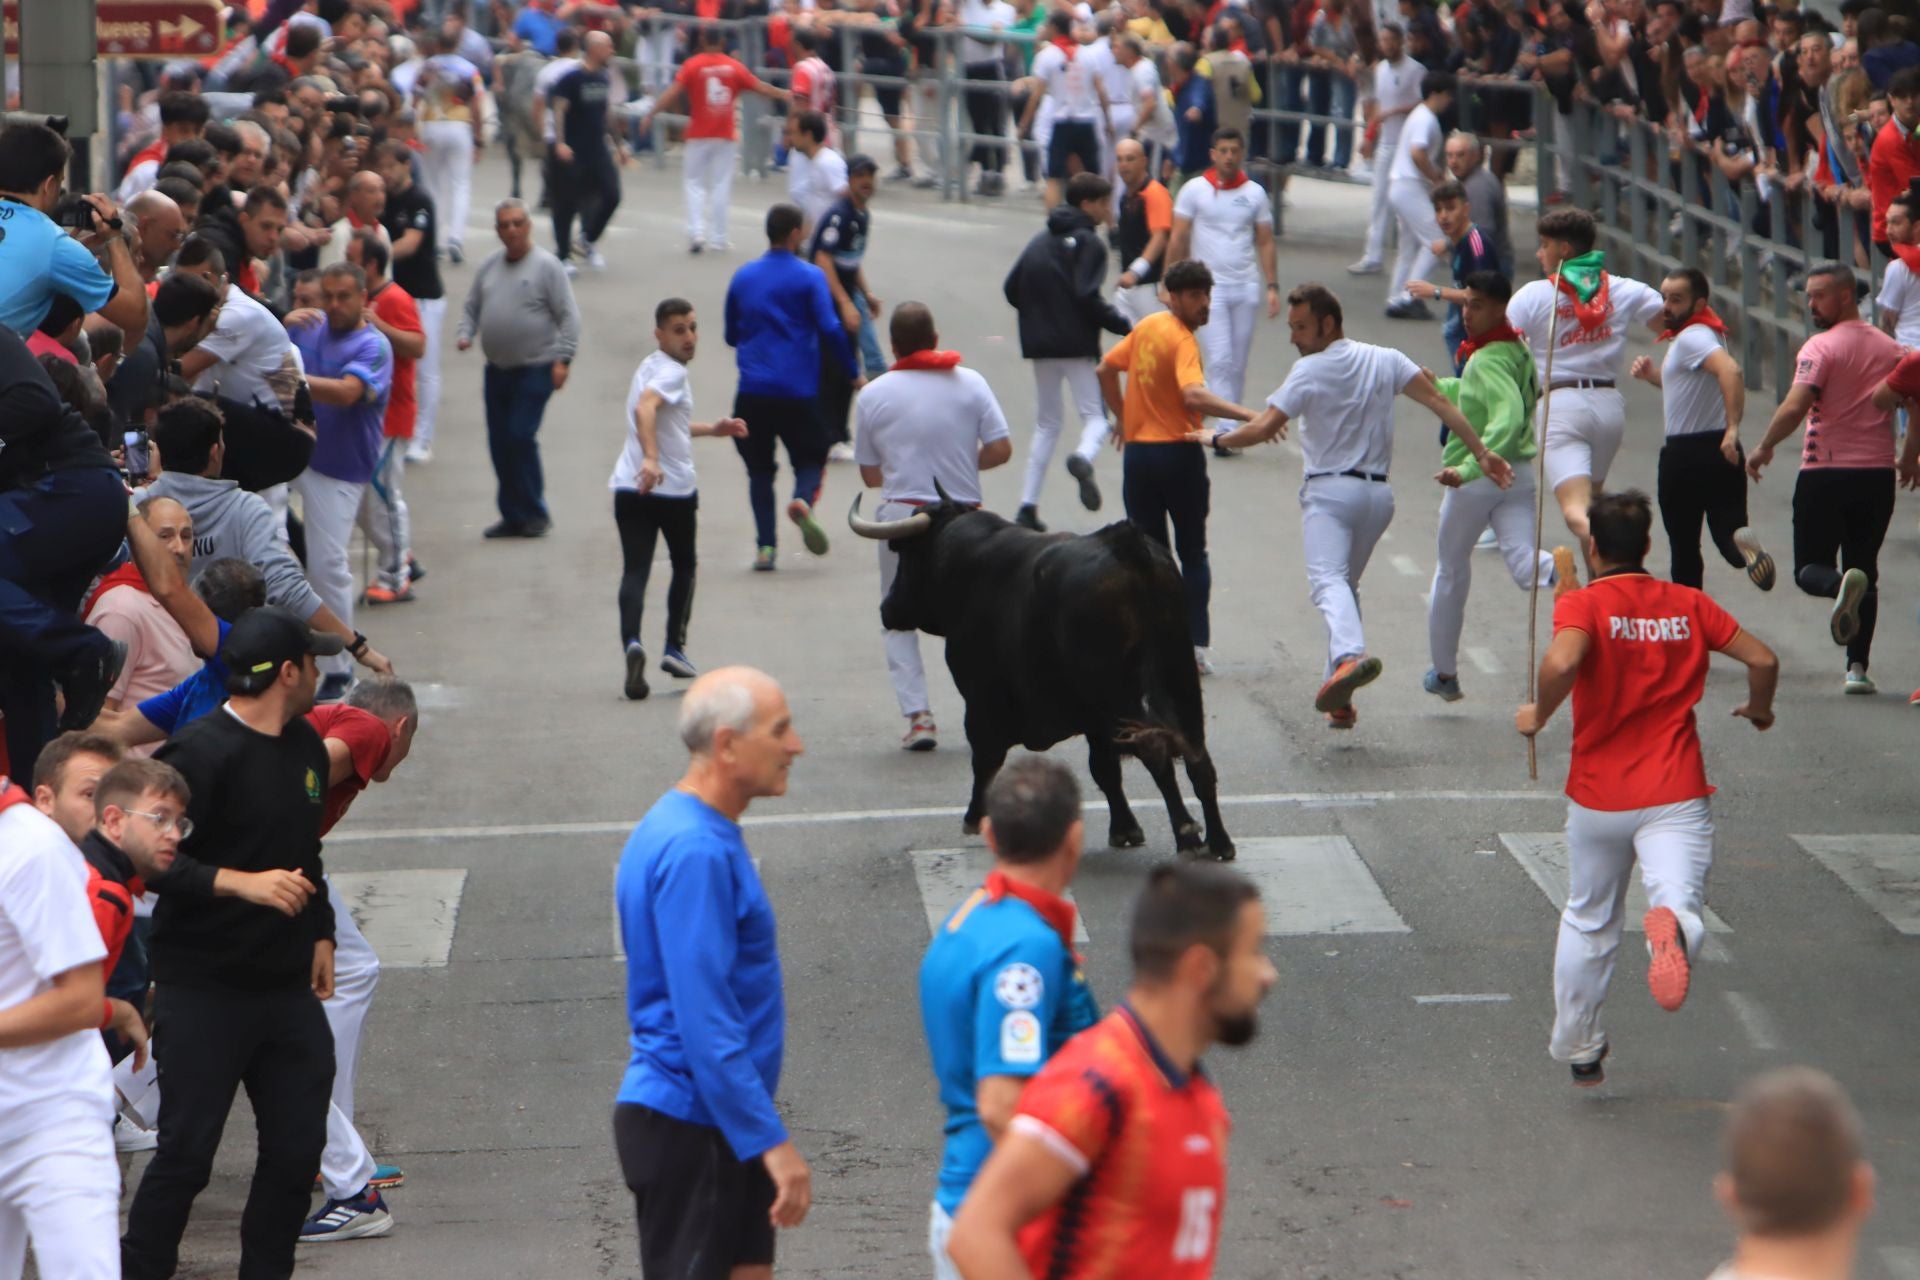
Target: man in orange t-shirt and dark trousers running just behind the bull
1164	477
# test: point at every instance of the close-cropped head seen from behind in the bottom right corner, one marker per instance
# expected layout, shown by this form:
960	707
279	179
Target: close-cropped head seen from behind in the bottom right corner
1796	1183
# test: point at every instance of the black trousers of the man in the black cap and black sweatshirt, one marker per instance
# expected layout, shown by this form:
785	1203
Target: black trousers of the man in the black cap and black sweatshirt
210	1043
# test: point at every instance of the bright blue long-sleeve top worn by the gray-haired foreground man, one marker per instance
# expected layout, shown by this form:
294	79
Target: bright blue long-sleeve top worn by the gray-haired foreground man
704	989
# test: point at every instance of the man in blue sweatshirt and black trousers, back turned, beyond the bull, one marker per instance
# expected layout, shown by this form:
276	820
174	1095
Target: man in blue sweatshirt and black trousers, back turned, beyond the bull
779	310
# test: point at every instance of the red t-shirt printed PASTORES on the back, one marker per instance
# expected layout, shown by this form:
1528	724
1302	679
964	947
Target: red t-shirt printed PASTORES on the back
1635	742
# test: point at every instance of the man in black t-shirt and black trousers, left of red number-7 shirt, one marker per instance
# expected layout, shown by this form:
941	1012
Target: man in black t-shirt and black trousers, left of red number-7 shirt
585	151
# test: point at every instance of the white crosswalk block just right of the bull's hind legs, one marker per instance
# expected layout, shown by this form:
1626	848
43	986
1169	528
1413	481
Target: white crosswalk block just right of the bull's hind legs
1316	884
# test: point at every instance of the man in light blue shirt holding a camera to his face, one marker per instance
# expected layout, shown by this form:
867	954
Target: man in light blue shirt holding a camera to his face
39	258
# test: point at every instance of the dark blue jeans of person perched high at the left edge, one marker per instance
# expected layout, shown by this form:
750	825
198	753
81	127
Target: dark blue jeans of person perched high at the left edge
57	534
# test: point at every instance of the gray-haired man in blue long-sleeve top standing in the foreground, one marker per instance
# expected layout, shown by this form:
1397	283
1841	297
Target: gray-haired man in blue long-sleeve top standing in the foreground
702	1145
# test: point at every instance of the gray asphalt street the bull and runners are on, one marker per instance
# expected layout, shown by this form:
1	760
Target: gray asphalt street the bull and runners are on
1399	1114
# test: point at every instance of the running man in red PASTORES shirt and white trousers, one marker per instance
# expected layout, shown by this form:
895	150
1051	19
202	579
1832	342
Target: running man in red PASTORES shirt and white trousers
1633	653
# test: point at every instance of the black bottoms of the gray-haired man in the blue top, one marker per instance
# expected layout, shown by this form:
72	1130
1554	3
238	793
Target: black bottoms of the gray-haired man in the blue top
702	1210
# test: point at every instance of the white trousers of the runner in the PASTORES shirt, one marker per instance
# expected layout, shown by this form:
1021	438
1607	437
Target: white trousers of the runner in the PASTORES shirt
1673	845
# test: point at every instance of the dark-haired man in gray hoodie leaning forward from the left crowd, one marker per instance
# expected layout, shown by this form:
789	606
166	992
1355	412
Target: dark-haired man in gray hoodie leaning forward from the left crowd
233	523
